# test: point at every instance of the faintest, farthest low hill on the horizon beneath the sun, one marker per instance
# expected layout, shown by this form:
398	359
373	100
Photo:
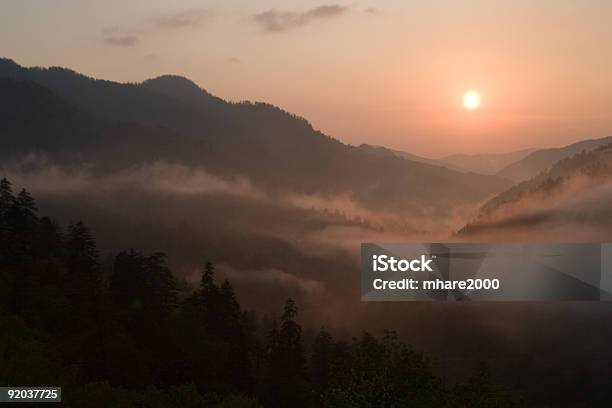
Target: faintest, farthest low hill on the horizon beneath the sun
484	163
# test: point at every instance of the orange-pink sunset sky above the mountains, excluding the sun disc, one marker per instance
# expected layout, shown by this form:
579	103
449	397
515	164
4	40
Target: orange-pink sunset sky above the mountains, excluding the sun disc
386	72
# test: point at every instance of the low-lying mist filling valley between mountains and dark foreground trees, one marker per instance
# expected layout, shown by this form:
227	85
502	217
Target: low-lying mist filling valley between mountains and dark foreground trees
272	247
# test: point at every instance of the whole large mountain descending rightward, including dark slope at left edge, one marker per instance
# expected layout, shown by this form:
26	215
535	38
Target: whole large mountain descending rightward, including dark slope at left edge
171	119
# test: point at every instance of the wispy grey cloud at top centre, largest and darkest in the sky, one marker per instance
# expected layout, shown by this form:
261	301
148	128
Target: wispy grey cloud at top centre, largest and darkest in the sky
280	21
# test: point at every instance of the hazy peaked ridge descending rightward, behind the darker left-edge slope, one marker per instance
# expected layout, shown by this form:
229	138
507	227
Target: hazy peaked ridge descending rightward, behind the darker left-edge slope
275	149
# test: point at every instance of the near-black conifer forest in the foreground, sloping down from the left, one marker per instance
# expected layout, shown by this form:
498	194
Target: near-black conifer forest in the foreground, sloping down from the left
134	338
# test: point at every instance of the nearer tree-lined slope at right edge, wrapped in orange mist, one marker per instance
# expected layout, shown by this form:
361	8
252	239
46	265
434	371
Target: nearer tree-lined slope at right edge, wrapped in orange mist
573	195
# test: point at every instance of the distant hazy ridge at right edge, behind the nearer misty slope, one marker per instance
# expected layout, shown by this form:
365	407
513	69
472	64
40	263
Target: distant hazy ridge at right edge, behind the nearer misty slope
542	159
